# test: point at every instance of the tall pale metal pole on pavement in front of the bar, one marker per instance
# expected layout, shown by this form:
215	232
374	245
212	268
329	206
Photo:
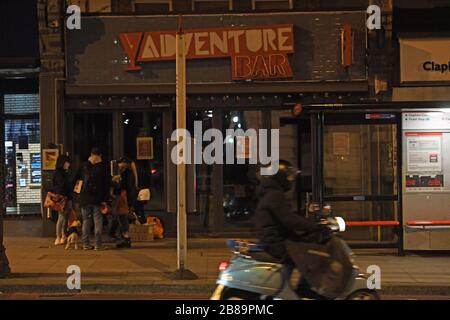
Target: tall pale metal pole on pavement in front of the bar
182	272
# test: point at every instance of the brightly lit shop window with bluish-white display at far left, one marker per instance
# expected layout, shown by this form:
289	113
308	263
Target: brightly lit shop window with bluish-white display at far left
22	154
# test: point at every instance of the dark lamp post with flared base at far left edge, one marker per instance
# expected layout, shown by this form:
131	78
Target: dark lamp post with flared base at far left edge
4	263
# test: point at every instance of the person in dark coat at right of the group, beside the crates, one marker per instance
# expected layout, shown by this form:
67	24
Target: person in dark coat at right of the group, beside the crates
125	182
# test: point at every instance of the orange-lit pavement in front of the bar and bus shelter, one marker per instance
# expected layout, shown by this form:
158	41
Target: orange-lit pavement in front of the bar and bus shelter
40	267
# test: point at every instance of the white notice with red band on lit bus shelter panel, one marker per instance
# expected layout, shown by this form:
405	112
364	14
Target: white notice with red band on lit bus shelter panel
424	161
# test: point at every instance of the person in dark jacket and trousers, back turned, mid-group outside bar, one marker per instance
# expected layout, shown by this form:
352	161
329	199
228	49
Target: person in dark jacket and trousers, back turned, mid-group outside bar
93	196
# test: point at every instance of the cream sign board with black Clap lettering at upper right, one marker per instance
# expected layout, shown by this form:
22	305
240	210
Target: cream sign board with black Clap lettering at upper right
424	60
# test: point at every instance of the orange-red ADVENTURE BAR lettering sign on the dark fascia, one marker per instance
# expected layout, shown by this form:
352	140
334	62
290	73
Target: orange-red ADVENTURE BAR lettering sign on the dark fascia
256	52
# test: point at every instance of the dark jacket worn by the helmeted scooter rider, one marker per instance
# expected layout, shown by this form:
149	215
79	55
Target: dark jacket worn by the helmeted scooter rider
275	220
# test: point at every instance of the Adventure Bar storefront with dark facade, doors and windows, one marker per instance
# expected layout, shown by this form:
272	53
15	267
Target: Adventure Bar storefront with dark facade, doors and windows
243	71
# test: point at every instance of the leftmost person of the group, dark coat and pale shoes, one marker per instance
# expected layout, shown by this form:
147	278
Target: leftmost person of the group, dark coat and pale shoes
62	185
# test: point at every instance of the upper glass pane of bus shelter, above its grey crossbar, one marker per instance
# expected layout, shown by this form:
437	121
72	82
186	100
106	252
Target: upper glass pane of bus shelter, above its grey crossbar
360	160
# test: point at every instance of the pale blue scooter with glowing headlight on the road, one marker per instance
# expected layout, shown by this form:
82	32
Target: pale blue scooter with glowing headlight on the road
251	274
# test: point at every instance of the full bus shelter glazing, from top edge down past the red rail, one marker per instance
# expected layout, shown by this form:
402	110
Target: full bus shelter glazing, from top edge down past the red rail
360	177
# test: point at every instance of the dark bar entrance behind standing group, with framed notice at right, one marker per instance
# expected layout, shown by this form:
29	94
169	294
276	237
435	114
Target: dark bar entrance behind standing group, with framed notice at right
137	135
